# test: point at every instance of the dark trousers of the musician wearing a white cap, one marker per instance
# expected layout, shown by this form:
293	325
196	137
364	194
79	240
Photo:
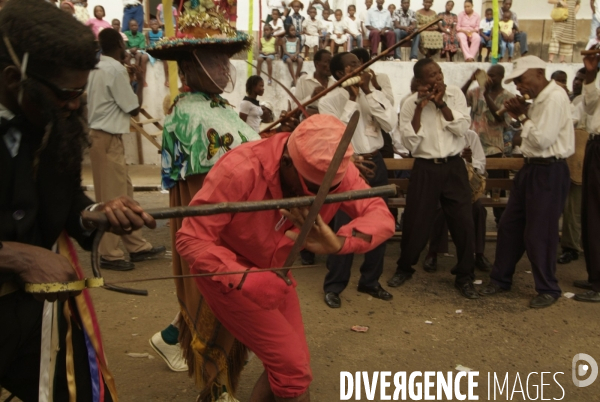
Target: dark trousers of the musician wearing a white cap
530	223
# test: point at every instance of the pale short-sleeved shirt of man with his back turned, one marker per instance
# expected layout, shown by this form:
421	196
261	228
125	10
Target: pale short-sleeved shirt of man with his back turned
110	97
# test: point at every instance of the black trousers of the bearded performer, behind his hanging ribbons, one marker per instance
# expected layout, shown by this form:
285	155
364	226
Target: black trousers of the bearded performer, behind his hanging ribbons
20	342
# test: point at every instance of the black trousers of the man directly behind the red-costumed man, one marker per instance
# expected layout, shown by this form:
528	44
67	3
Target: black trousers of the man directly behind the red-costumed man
339	266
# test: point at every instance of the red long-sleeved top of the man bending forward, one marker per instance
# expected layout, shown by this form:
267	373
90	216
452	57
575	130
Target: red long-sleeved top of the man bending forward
236	242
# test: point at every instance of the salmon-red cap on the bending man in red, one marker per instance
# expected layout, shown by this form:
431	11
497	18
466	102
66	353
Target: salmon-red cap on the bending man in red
313	144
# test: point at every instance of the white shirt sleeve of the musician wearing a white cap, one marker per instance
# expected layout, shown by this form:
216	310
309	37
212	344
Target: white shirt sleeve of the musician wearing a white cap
544	133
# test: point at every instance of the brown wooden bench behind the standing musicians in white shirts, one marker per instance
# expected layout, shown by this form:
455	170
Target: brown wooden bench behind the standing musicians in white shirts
491	164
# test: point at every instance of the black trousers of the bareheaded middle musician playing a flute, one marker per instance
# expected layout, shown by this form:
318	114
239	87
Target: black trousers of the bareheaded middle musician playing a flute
445	184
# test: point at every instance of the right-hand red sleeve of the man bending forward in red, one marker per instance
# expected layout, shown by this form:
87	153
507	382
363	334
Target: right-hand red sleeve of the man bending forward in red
370	216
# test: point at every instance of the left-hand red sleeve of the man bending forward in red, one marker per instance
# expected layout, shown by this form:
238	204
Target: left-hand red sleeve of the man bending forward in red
198	239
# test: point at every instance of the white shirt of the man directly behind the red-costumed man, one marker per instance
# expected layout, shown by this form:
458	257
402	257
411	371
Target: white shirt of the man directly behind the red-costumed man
376	114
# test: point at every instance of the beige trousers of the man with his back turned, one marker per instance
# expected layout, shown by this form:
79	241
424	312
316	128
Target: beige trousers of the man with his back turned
111	180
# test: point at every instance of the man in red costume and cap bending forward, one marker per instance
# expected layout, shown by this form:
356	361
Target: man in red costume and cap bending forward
265	314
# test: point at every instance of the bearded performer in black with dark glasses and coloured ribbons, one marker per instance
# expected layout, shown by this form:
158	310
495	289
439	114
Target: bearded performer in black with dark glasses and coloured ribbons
43	74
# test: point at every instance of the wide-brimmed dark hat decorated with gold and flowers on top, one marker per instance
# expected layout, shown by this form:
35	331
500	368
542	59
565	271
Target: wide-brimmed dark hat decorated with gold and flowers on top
201	28
